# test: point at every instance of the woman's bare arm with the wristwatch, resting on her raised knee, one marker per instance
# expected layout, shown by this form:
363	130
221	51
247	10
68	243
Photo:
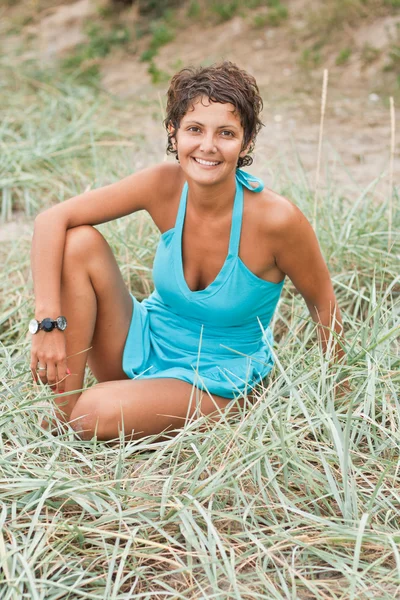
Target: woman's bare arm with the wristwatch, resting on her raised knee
139	191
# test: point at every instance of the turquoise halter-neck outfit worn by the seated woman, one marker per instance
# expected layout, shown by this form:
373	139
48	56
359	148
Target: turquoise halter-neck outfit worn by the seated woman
217	338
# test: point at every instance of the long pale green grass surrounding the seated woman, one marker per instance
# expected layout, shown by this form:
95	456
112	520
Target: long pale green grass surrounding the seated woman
297	497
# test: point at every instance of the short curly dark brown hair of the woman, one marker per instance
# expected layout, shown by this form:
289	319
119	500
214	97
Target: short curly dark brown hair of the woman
224	83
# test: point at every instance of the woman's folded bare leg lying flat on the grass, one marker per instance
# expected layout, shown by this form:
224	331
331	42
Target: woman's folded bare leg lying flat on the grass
141	407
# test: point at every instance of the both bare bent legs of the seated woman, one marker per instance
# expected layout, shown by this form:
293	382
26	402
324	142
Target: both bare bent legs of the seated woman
98	308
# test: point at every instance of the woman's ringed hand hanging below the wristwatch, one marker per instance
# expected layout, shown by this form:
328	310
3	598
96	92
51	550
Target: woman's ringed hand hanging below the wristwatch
49	359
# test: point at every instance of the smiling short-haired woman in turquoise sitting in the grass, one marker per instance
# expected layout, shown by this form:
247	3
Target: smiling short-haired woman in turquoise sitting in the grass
202	338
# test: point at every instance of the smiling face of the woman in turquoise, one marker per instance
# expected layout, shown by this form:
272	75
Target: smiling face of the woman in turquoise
209	141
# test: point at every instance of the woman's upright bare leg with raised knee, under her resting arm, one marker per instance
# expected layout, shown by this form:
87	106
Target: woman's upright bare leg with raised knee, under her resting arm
98	308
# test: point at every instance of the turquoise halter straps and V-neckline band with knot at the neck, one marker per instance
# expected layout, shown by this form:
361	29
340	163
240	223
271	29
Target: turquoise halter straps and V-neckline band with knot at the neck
242	179
